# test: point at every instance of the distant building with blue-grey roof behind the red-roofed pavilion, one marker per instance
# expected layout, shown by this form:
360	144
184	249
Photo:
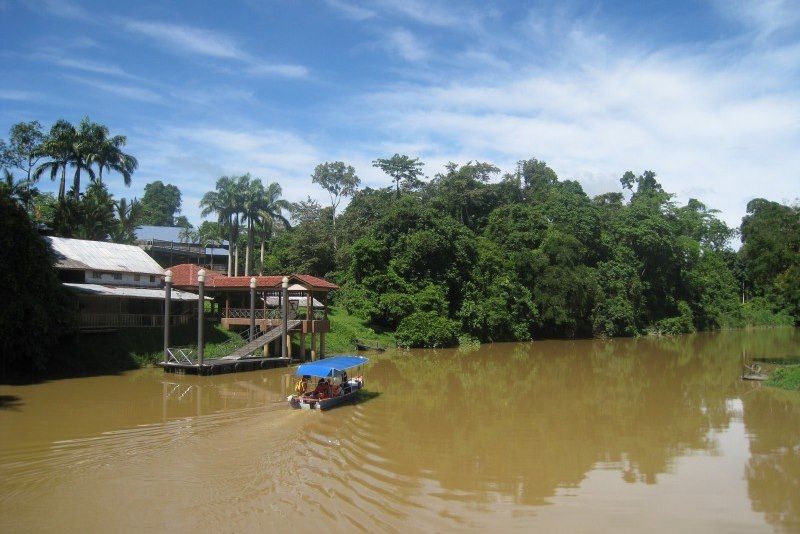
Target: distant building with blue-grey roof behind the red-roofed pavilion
169	245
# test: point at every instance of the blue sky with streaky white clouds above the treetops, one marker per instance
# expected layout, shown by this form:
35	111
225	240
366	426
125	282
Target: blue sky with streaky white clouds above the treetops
704	93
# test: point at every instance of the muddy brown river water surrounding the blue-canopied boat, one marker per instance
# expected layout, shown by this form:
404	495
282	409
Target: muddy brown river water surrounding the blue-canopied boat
584	436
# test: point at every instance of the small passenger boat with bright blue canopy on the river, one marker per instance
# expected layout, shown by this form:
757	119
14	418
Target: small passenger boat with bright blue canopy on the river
334	387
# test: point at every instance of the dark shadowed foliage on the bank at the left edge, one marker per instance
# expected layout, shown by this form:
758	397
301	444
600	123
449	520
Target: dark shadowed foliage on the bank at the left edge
30	325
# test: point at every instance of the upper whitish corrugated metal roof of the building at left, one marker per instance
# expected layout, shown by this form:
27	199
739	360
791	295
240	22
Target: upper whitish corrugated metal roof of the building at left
101	256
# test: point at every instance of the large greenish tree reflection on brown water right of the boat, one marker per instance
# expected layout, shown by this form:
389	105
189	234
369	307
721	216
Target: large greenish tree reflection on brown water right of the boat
526	419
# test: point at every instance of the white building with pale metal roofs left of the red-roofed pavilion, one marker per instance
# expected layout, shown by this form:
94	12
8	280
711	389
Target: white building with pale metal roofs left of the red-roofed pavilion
117	286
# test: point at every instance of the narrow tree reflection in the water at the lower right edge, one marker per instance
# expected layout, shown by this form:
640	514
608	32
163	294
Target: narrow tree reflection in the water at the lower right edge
772	419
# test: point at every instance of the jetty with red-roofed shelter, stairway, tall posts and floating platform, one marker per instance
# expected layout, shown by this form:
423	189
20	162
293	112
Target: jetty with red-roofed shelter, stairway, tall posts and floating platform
273	319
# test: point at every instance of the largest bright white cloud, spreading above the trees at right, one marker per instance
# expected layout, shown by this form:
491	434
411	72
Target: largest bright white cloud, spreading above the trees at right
729	127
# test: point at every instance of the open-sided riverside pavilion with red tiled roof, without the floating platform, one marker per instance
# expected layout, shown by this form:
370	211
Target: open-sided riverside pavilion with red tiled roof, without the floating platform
307	295
